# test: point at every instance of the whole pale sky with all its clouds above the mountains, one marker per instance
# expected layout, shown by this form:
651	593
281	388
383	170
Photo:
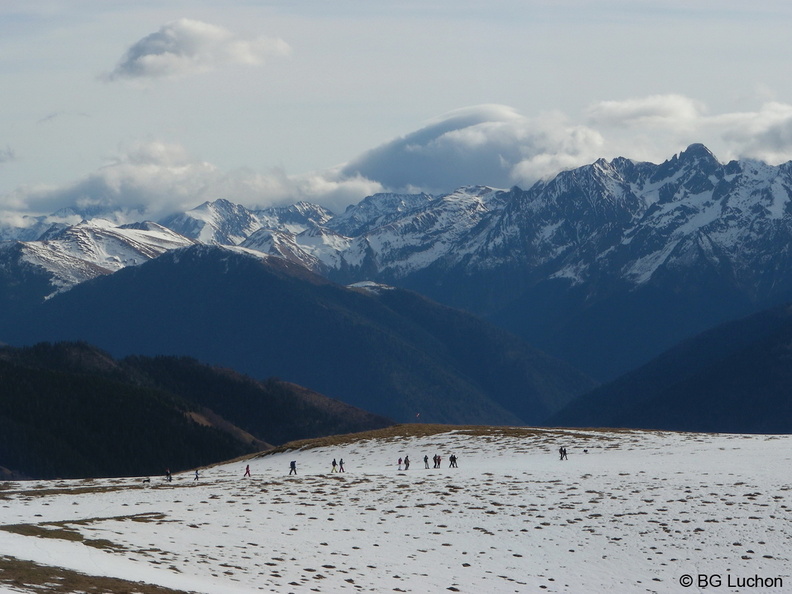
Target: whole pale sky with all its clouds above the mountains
155	107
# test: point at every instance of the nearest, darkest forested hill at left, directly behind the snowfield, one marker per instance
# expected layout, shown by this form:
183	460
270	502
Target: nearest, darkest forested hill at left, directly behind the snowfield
68	424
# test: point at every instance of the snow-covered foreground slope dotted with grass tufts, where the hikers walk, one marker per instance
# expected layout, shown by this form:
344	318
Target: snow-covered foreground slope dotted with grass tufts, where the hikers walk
639	512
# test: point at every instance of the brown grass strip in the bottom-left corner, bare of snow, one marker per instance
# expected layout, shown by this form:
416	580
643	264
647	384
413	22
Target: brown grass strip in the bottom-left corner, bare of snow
43	578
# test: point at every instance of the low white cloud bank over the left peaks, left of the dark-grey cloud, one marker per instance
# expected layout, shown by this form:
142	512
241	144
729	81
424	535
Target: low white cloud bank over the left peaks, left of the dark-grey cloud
149	180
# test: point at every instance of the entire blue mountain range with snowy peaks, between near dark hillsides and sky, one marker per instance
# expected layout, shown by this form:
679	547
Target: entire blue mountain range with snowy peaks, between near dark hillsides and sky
605	267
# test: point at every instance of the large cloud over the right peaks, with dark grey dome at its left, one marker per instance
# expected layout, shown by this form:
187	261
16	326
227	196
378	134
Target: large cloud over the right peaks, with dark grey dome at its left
494	145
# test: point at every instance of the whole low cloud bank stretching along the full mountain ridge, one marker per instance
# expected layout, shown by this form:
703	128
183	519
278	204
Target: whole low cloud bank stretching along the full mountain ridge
483	145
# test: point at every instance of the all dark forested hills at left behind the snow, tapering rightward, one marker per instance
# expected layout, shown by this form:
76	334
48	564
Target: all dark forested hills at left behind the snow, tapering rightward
71	410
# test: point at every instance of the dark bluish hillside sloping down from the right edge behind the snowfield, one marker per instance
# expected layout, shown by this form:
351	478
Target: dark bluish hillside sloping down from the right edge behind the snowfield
736	378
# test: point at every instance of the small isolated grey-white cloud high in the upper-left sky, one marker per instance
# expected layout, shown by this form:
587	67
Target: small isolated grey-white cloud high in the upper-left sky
188	46
